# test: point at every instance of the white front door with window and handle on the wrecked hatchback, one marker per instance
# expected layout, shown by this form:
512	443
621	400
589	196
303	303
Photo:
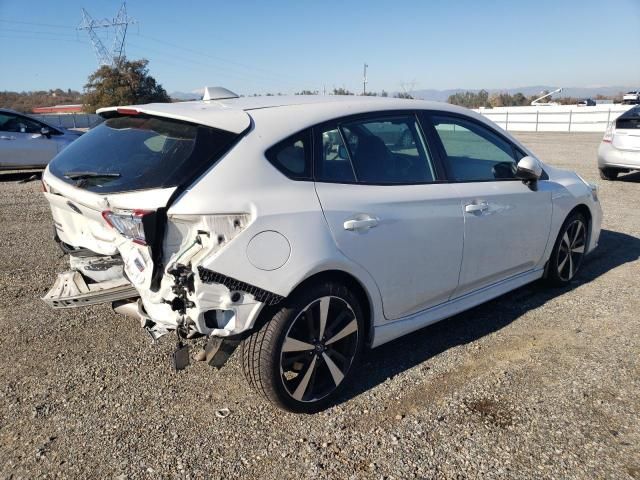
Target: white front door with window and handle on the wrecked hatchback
506	222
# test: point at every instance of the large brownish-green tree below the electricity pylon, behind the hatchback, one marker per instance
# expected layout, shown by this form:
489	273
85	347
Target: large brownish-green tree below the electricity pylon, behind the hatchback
128	83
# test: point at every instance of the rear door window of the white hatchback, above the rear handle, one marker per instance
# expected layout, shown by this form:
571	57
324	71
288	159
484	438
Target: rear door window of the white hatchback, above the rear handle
387	151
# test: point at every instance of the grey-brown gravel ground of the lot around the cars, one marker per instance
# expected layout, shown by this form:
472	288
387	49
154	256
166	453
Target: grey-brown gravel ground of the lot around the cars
535	384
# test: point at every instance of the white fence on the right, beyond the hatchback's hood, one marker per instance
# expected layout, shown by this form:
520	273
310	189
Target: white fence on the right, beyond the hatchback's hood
554	118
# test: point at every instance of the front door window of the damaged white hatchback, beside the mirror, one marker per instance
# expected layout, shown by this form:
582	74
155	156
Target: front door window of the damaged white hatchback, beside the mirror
473	152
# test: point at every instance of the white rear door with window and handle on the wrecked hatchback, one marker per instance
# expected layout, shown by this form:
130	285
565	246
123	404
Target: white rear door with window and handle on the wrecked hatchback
380	193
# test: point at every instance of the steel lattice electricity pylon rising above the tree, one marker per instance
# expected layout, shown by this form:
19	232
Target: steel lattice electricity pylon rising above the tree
119	23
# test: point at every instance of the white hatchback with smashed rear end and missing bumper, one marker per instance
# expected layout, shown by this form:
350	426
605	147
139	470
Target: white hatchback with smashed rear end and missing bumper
306	228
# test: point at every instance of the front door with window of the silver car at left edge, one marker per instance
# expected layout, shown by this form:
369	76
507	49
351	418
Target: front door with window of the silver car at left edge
21	143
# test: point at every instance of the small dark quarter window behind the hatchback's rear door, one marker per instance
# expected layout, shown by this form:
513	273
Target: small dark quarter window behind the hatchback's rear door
292	156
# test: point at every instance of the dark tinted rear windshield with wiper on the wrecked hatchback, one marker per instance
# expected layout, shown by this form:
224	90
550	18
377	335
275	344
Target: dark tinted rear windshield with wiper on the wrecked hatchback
140	152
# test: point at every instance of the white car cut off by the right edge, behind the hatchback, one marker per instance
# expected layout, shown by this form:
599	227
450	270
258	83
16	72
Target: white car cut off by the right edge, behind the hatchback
619	151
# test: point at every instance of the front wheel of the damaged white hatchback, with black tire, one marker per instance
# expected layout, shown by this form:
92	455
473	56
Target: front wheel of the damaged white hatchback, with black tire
568	251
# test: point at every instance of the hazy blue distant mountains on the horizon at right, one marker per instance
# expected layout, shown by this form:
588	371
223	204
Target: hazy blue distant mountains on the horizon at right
577	92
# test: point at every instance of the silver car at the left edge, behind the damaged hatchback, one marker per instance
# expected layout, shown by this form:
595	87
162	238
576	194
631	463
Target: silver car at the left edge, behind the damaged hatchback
27	143
